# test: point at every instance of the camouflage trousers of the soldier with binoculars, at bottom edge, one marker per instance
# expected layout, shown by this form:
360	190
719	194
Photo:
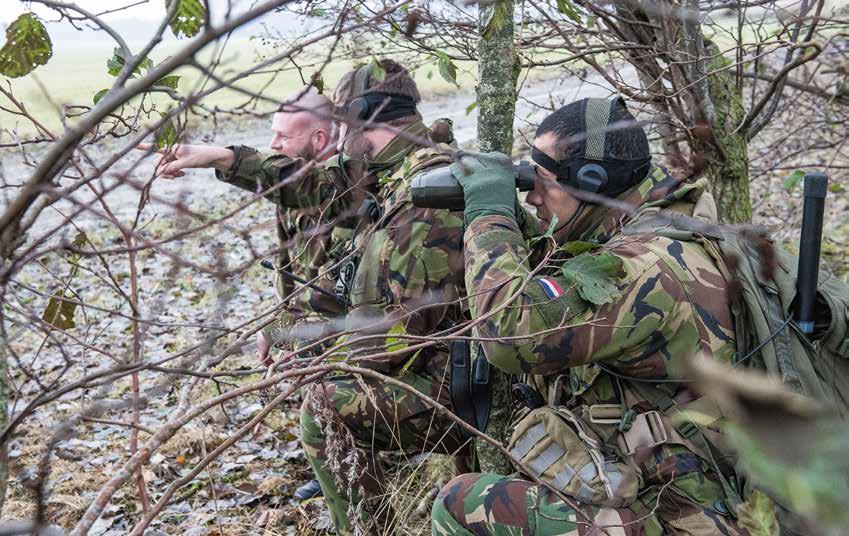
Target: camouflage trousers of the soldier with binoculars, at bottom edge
488	504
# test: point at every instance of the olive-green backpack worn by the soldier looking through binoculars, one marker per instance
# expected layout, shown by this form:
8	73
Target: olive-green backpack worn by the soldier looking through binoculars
763	279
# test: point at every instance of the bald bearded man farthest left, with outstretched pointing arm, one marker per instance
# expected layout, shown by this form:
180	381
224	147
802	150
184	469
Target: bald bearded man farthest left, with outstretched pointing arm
308	232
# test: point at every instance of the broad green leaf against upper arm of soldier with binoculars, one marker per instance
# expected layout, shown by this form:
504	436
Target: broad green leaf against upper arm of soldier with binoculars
595	276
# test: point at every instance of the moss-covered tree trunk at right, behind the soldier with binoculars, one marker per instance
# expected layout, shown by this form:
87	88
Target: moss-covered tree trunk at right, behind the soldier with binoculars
727	162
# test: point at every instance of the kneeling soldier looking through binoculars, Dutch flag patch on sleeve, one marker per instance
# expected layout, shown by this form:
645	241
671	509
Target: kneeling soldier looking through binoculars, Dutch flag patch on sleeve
597	328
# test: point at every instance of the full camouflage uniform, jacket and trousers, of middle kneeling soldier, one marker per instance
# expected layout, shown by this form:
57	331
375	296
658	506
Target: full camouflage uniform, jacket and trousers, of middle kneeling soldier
409	281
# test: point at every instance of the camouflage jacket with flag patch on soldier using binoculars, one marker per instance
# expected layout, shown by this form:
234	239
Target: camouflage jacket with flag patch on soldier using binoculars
669	304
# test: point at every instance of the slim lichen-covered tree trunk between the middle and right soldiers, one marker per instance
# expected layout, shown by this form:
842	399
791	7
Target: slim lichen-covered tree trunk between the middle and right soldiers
497	75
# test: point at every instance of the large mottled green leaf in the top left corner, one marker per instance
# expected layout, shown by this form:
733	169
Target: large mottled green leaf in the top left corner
27	46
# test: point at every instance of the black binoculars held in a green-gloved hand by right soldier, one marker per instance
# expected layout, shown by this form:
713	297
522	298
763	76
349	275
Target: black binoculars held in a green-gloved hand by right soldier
440	189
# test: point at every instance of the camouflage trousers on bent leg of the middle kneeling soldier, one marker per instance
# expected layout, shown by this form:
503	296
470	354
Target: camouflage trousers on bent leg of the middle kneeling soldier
346	421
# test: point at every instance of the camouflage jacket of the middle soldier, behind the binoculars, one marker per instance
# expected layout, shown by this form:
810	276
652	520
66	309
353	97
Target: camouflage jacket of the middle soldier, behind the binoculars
409	278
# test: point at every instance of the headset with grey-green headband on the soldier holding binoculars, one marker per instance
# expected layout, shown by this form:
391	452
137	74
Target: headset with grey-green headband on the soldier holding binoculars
591	171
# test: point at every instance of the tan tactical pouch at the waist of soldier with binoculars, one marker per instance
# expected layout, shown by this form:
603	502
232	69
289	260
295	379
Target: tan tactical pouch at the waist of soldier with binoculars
560	449
